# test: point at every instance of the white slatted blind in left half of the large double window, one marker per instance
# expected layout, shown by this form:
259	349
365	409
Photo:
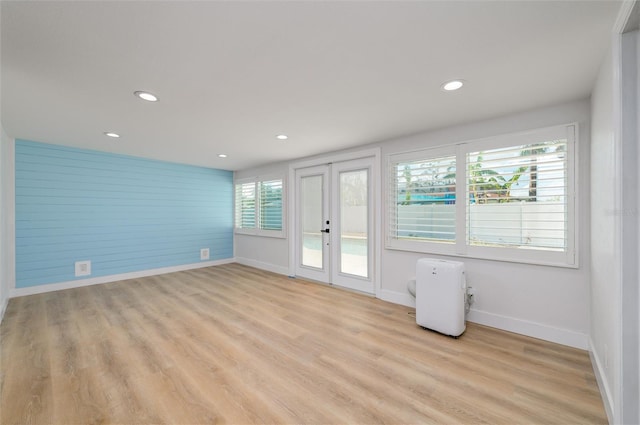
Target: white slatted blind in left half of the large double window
422	204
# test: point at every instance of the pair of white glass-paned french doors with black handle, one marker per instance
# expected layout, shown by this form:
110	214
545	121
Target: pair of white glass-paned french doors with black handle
334	234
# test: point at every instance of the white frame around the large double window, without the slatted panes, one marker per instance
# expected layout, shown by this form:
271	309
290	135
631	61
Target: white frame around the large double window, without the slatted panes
567	258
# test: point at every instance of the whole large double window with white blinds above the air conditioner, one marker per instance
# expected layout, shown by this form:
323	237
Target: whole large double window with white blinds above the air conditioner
505	198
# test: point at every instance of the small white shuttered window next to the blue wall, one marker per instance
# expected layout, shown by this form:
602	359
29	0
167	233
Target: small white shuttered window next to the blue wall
258	207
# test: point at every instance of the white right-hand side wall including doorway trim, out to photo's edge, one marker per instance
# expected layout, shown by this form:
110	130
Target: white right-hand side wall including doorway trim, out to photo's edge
615	329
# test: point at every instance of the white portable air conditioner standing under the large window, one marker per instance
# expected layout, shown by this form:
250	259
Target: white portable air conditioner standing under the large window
440	296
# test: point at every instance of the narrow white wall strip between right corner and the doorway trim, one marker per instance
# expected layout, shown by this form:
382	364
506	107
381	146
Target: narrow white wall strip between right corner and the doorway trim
605	271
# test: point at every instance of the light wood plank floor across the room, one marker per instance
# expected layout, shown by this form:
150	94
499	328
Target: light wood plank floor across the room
233	344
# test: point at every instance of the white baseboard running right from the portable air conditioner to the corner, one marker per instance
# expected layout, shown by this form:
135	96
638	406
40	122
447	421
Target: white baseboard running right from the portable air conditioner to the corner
533	329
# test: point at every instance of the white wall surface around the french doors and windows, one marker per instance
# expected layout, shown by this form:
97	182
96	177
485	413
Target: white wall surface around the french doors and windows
545	302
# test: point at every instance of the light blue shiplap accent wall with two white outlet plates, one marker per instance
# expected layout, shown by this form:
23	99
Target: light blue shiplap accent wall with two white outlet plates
123	213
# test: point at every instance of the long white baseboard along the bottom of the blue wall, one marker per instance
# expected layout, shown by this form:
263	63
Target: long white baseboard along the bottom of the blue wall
20	292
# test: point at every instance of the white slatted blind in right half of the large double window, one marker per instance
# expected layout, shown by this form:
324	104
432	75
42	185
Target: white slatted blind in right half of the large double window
517	196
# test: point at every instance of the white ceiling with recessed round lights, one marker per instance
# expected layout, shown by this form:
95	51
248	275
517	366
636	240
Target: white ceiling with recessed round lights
232	75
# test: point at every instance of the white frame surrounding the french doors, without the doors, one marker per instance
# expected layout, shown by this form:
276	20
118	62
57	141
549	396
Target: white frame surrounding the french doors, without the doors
377	192
